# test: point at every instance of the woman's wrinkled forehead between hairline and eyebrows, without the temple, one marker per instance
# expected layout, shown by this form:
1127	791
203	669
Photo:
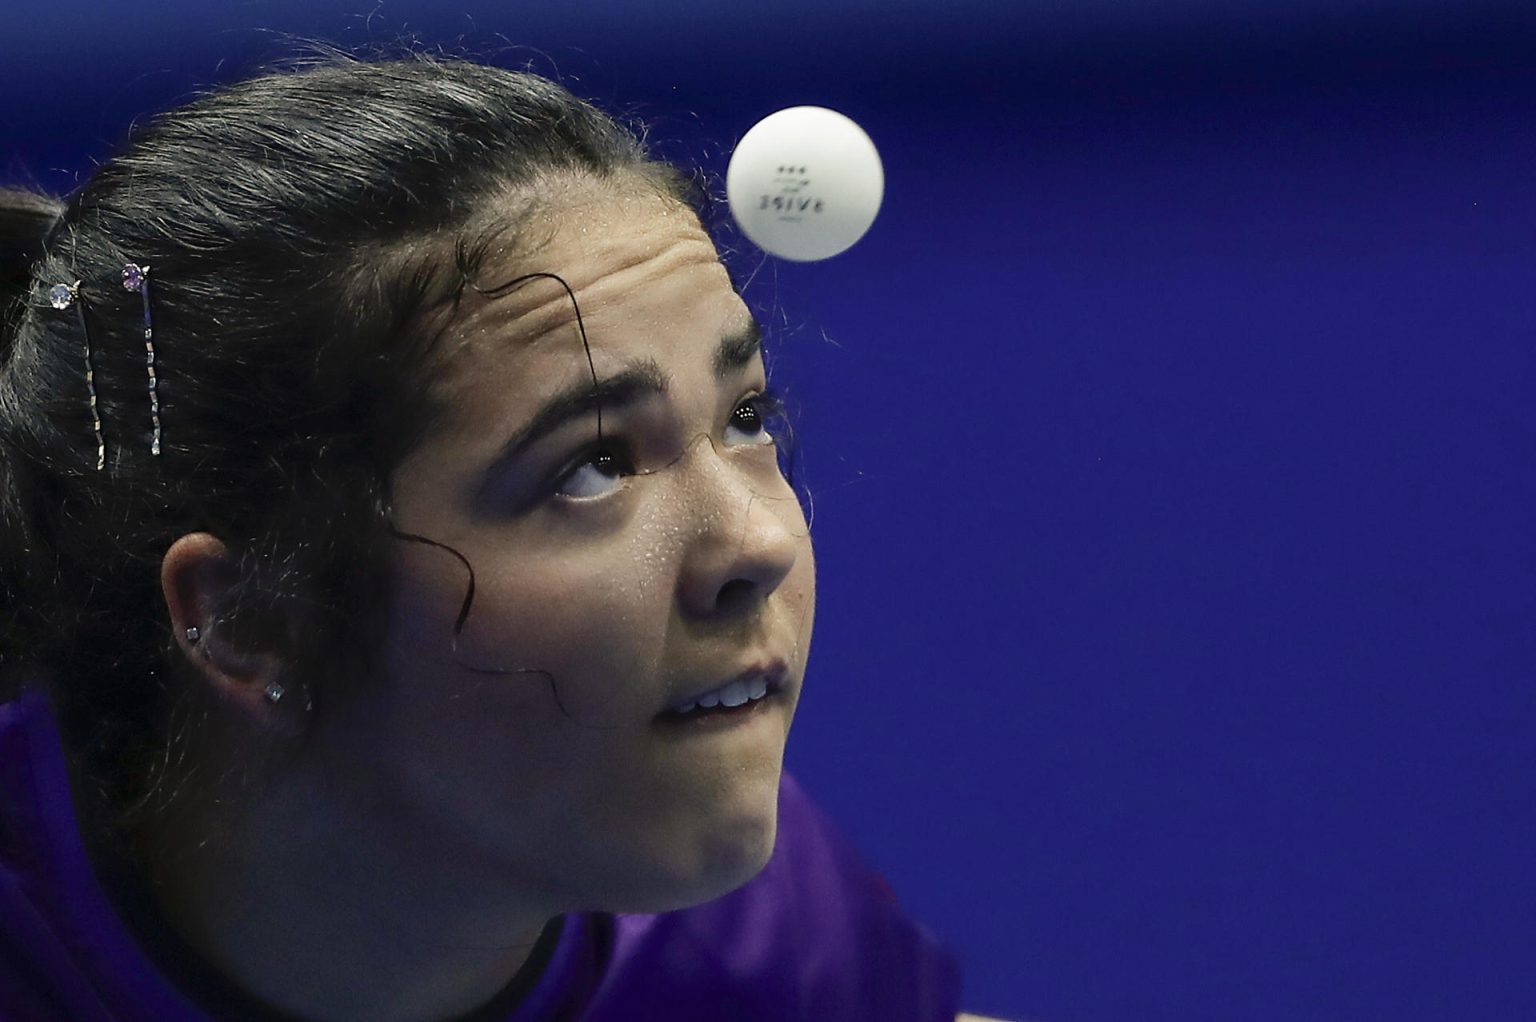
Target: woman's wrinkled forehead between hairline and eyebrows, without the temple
644	280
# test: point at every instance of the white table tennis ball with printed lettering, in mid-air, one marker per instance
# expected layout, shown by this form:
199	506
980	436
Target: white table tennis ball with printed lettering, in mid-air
806	184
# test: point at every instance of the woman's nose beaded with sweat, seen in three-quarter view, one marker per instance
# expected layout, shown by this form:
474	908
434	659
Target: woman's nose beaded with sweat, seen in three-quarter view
746	543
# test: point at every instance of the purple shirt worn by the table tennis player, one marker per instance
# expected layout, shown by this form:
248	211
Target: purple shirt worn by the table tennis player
816	937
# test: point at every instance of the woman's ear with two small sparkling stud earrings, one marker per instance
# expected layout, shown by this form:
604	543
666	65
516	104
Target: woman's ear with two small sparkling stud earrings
240	668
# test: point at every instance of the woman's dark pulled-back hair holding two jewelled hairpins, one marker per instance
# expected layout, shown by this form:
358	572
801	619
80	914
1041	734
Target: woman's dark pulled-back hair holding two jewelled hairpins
300	230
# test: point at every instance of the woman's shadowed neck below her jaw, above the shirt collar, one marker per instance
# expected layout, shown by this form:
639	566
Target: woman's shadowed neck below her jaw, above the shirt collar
320	901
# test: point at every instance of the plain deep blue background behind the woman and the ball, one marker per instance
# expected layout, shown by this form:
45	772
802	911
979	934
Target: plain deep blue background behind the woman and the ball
1171	439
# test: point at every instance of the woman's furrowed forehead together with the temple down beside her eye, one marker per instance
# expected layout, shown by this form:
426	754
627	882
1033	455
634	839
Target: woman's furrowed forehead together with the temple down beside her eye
650	290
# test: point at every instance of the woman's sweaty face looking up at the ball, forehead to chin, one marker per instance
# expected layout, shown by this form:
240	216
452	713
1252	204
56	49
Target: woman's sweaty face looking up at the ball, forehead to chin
617	574
